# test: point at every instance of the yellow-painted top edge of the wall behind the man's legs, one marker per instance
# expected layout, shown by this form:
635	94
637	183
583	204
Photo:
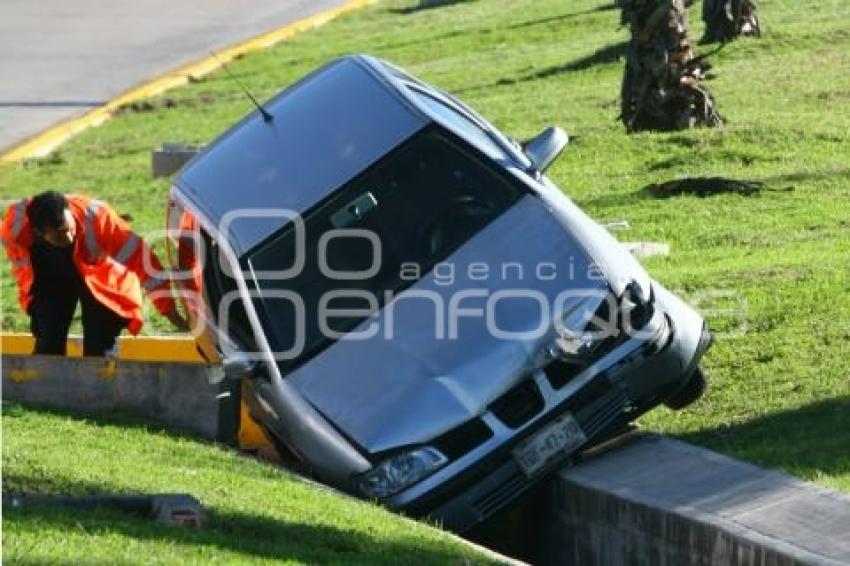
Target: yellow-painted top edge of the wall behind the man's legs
178	349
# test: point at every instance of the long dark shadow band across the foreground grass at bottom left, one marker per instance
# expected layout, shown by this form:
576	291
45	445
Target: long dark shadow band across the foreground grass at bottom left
255	536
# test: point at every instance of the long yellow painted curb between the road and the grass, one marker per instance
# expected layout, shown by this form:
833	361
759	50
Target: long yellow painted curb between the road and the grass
47	141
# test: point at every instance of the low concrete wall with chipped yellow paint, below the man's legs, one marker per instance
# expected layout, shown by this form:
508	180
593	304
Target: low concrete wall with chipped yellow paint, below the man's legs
175	394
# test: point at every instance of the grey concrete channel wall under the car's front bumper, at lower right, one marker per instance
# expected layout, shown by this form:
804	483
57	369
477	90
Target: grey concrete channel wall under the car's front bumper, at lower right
664	502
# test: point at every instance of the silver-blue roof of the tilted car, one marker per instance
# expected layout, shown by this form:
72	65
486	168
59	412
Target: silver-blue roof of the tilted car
326	129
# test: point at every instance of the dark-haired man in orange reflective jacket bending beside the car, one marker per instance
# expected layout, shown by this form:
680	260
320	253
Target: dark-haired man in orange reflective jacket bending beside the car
72	248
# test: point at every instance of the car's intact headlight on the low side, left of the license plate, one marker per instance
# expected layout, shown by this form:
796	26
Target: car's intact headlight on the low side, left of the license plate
400	471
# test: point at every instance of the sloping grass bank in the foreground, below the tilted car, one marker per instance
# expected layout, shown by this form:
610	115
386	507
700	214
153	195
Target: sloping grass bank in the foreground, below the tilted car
258	513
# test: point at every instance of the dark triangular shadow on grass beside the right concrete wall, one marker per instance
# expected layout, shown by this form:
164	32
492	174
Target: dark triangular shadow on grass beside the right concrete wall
807	441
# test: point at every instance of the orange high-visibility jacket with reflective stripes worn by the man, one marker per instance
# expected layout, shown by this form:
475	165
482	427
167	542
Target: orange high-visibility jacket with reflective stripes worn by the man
110	258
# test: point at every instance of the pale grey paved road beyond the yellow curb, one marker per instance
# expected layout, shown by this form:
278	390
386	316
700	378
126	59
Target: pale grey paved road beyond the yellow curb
61	58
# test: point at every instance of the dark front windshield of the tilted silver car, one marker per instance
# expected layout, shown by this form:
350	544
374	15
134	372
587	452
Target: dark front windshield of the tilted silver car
373	238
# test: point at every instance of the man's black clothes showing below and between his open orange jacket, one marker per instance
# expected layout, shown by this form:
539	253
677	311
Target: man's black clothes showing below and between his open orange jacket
57	287
